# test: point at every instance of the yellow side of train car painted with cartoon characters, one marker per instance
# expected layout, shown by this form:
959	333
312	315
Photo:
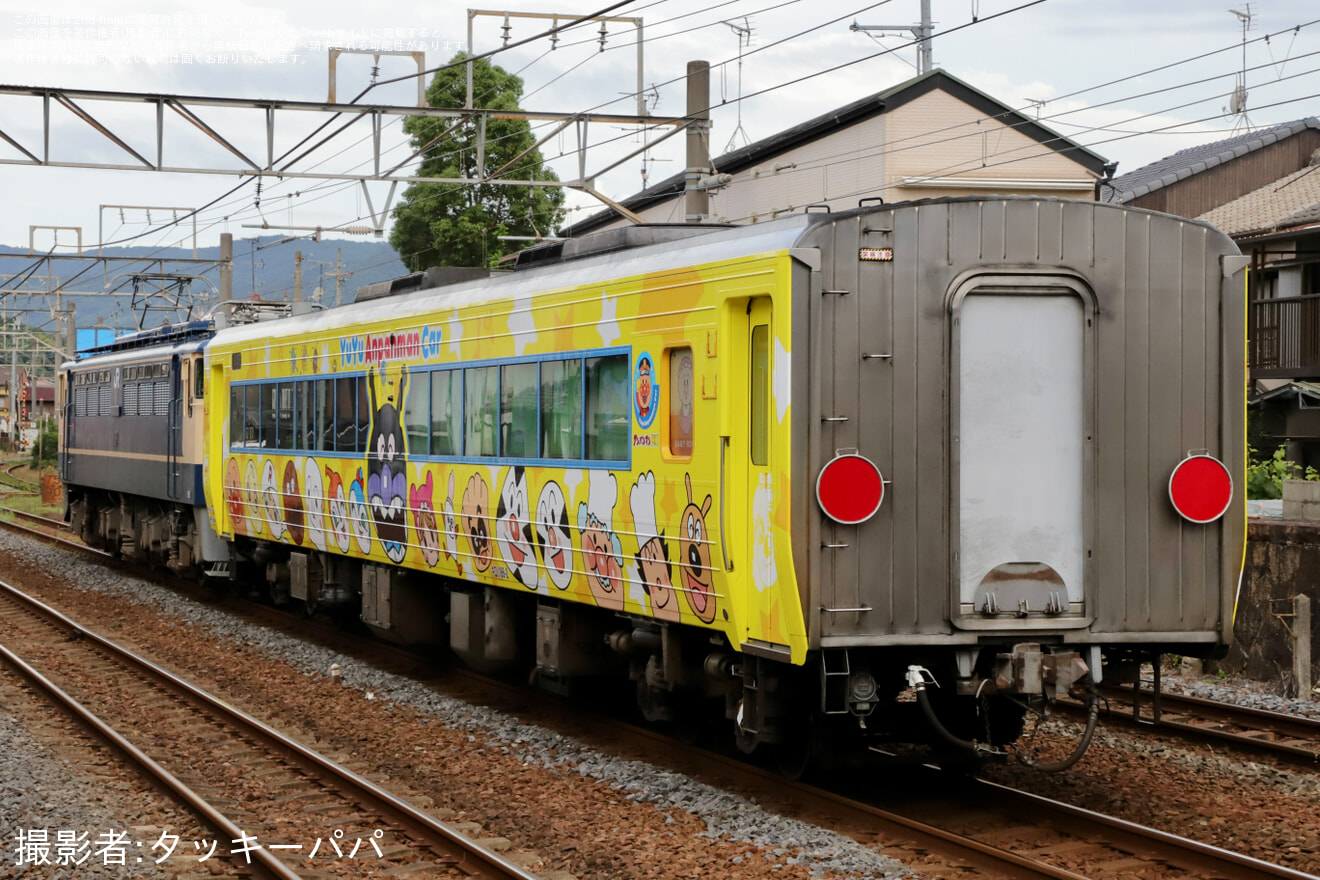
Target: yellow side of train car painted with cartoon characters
608	439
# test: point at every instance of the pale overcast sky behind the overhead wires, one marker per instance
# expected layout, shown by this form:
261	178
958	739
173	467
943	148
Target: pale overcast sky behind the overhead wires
1058	52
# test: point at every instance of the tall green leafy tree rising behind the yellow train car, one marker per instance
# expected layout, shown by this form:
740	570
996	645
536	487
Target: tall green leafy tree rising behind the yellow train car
459	225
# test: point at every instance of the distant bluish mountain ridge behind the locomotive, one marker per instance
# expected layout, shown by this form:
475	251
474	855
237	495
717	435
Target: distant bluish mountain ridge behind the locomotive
267	272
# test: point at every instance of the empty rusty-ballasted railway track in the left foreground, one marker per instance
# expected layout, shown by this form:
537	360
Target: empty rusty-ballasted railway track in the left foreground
192	745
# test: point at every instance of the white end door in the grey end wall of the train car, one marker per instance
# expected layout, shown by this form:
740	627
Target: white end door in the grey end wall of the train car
1024	451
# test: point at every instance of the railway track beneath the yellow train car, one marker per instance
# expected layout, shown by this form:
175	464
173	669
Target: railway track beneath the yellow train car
981	829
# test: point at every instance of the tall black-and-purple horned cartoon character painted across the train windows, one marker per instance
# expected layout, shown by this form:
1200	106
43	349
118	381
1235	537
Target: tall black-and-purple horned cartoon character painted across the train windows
387	481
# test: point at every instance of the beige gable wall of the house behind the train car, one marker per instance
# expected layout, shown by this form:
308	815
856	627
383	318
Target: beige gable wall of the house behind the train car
933	137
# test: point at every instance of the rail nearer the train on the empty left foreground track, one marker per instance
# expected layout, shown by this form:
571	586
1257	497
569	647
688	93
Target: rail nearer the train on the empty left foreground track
464	854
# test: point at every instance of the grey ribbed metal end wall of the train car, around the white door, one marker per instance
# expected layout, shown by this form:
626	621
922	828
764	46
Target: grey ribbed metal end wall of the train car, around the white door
1166	382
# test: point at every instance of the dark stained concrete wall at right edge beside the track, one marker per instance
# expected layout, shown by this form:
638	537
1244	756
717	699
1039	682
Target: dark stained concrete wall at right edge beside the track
1282	561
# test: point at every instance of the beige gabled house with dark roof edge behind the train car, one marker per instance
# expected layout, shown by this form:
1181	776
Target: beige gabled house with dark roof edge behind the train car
930	137
